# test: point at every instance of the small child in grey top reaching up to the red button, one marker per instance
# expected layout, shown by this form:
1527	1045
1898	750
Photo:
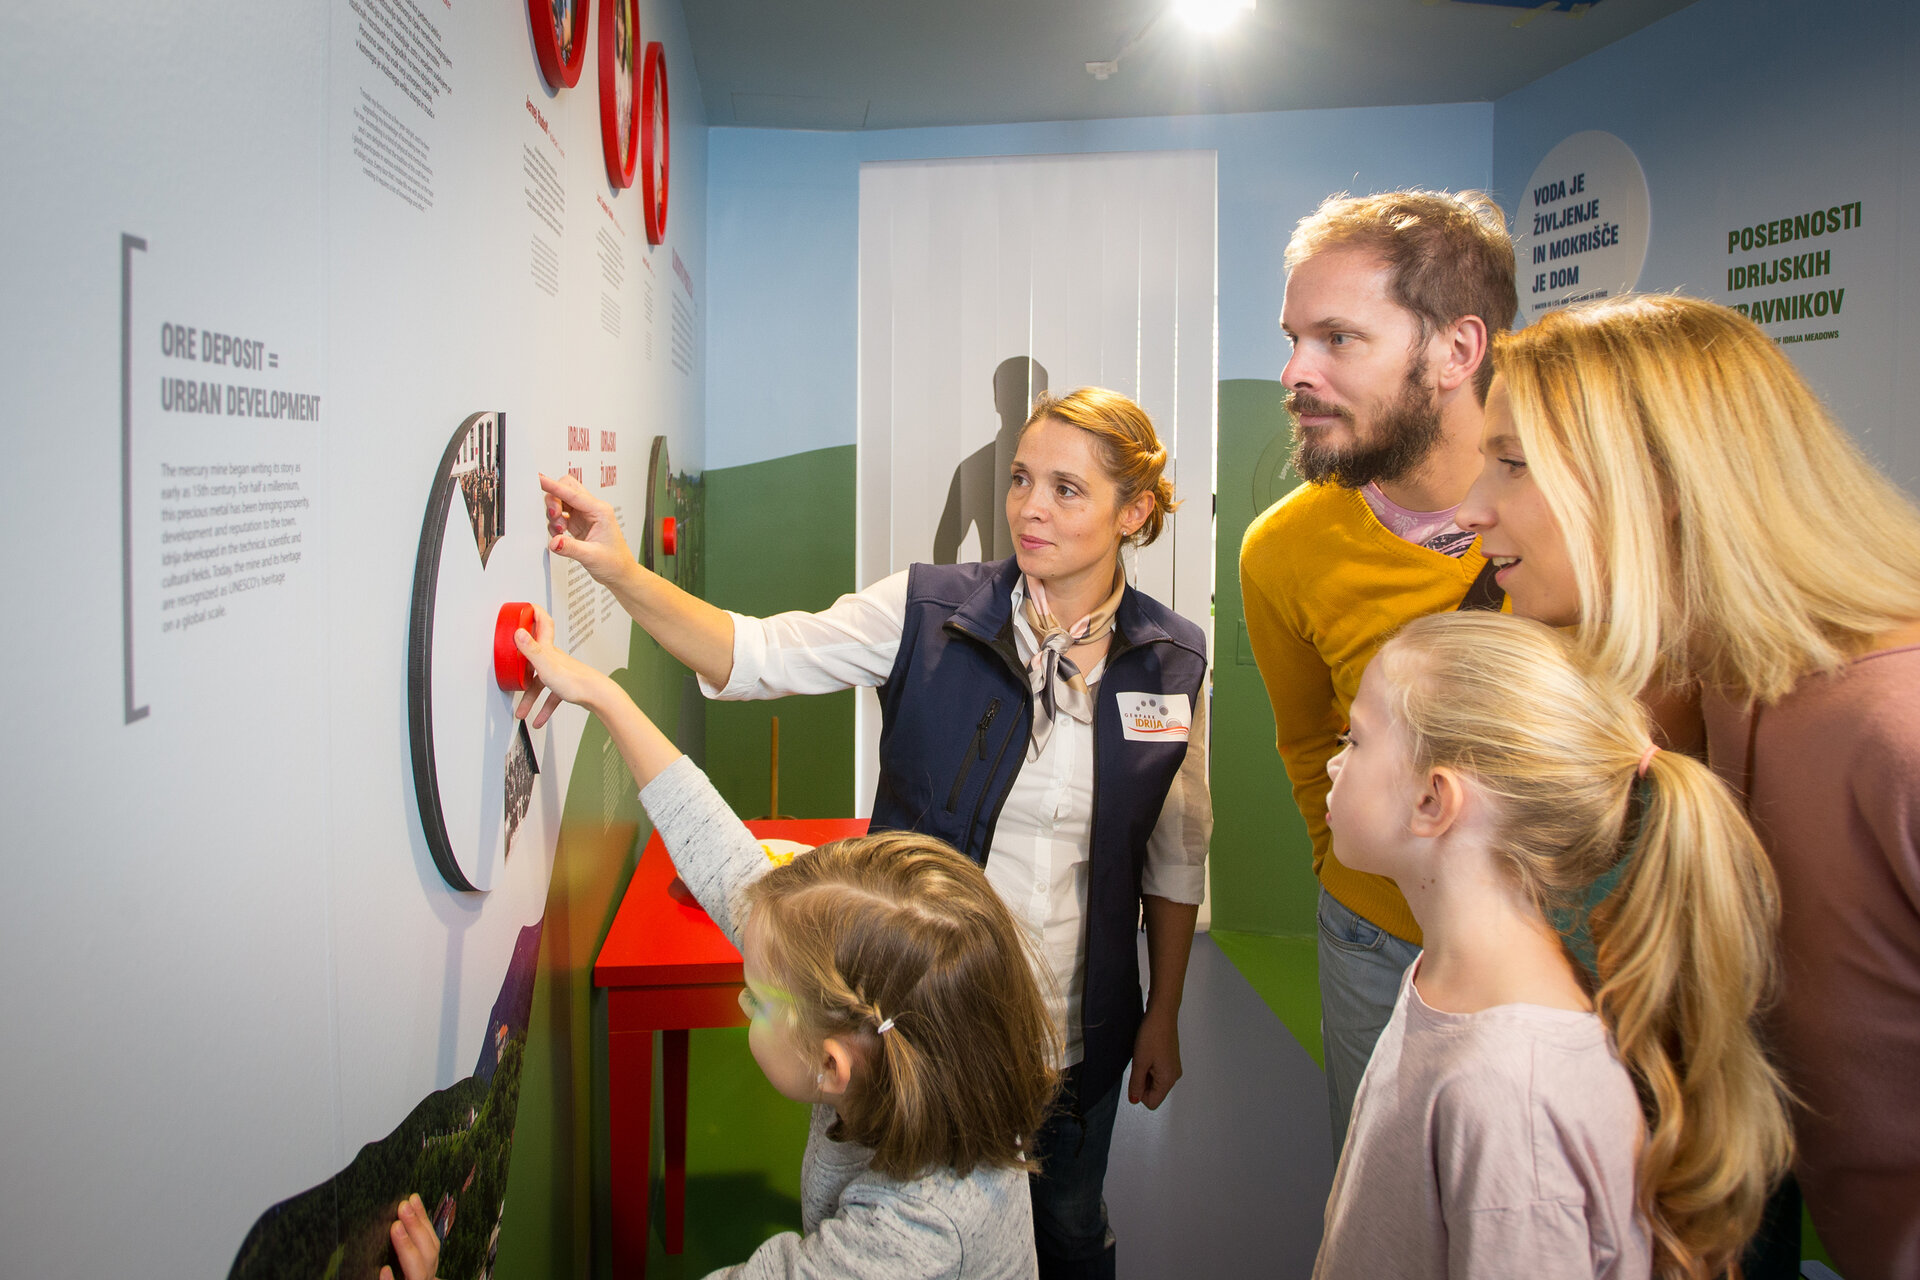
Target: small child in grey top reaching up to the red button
888	987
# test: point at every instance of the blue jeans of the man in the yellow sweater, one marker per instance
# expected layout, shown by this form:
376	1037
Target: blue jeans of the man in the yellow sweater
1360	982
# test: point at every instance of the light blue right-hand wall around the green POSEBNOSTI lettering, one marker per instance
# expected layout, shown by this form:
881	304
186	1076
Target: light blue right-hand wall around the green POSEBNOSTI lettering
1750	110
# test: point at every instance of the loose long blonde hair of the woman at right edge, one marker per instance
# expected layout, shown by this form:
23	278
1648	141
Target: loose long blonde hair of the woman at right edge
1723	529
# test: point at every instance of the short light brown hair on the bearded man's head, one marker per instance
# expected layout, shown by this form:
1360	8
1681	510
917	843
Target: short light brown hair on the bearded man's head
1449	254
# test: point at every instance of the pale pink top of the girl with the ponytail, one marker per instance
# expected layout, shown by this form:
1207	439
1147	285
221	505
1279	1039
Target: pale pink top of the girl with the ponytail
1495	1145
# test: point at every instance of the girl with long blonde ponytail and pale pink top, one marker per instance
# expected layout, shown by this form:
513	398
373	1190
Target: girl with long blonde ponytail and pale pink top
1595	1106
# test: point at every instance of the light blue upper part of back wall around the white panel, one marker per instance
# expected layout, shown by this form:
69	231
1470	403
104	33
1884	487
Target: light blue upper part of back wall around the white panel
784	239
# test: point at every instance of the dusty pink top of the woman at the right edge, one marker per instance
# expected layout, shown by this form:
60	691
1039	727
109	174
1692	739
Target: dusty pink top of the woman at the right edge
1836	801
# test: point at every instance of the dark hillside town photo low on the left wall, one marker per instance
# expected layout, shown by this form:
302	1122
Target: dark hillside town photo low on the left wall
454	1149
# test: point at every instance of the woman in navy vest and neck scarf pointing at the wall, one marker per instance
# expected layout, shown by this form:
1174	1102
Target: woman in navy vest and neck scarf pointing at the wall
1019	699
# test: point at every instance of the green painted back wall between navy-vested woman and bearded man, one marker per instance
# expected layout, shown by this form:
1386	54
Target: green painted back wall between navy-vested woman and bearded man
1262	857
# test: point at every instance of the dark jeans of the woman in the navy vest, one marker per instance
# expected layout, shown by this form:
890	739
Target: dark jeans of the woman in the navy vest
1070	1231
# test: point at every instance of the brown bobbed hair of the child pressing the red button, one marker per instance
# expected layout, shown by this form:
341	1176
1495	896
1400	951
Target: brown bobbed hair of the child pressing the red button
901	932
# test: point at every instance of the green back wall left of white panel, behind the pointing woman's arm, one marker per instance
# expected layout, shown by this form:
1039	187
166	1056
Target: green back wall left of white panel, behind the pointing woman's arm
780	536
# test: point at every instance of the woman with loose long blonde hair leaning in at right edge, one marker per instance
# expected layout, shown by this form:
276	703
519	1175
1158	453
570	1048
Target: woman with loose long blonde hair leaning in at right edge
1662	479
